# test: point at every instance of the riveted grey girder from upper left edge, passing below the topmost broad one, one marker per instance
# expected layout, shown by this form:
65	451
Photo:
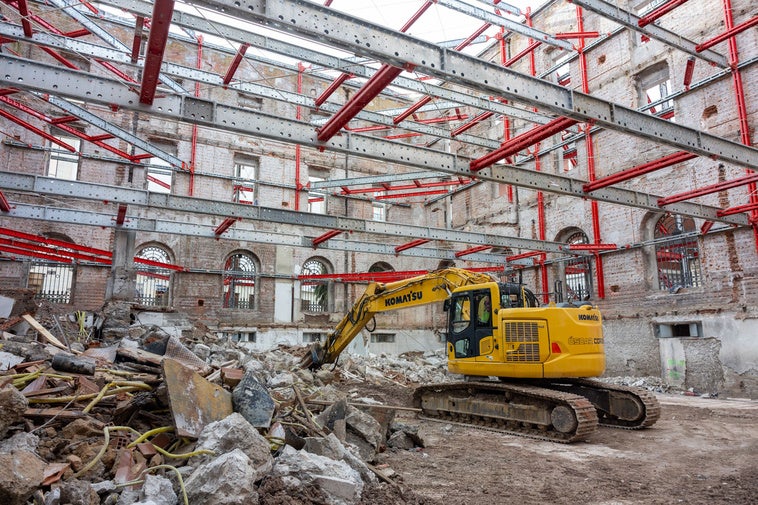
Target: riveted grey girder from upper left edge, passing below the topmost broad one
78	85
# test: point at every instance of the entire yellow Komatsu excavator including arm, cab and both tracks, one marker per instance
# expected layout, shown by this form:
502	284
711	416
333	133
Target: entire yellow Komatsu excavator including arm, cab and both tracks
526	367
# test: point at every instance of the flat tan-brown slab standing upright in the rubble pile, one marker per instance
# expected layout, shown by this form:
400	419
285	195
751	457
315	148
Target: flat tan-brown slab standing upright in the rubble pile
194	401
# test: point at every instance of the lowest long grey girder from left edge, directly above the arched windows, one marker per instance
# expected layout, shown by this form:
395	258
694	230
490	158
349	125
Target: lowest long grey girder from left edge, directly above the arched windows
239	233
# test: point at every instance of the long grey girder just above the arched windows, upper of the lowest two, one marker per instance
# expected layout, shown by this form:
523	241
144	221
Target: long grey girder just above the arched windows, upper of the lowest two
182	204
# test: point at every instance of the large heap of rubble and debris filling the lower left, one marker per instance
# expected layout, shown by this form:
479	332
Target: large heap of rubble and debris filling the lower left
94	411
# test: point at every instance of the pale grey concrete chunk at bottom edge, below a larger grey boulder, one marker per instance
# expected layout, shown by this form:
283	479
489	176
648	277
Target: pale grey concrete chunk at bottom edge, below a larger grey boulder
226	480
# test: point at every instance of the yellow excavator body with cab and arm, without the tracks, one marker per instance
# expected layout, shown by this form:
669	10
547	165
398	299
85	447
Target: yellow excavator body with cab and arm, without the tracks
512	337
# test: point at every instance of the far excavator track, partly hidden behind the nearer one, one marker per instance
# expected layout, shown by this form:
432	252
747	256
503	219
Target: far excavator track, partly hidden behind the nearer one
623	407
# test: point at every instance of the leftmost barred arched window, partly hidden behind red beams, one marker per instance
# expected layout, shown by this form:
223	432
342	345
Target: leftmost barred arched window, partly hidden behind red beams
52	280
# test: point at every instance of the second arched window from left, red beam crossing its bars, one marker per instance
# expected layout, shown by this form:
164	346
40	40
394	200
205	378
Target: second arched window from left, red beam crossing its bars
153	280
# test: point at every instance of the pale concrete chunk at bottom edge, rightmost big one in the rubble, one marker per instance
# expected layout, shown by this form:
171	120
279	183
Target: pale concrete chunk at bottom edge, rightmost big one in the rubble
337	479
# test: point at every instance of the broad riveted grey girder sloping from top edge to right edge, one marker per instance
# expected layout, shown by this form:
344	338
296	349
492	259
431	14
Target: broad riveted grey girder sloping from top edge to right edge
368	39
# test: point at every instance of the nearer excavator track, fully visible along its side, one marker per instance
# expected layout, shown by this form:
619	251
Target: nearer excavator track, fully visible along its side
523	410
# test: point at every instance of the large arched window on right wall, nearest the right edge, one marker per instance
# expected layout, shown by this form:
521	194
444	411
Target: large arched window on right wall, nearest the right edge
677	252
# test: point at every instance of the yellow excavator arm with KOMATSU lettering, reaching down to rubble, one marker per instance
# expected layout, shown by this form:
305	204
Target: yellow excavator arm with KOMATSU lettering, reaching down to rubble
380	297
